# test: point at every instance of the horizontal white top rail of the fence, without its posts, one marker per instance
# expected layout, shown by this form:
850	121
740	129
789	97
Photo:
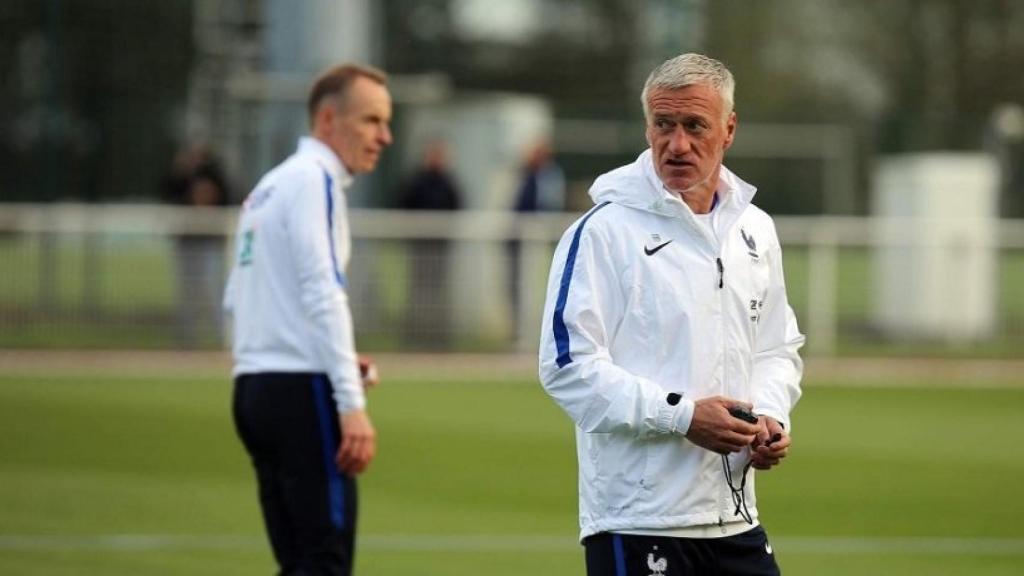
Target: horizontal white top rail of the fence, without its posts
399	225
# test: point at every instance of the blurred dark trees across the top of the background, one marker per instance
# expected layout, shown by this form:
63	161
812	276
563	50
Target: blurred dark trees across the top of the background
93	90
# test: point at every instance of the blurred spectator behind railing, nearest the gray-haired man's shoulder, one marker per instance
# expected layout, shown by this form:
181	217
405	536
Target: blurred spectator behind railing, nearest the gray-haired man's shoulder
542	190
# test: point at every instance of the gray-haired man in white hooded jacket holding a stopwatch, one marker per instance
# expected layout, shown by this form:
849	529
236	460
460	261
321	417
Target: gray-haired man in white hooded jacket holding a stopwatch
669	341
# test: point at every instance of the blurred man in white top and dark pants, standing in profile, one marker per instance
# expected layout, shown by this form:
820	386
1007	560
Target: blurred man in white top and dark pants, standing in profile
300	404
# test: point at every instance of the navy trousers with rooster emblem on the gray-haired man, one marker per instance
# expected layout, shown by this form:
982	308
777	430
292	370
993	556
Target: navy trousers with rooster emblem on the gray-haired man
623	555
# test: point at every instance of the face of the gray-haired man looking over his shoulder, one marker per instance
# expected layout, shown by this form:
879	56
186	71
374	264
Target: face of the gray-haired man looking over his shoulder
689	138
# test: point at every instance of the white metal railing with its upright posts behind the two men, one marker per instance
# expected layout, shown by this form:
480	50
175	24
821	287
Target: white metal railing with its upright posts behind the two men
823	236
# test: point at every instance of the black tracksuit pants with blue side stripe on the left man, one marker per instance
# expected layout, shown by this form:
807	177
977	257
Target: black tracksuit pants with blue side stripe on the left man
289	426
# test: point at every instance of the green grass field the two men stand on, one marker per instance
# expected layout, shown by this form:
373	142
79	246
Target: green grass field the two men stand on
142	476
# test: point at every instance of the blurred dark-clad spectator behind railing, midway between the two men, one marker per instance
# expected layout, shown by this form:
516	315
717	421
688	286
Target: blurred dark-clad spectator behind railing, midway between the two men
431	188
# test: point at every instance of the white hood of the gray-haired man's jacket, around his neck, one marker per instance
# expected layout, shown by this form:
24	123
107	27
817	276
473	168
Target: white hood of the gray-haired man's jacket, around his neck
637	186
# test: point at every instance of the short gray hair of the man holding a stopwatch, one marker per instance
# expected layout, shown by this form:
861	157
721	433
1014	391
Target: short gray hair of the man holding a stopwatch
689	70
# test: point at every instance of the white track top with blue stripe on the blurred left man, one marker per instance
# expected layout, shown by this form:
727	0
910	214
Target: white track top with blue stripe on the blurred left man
287	290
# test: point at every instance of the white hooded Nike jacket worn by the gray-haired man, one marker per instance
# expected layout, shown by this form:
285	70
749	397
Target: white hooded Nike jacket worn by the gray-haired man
643	302
